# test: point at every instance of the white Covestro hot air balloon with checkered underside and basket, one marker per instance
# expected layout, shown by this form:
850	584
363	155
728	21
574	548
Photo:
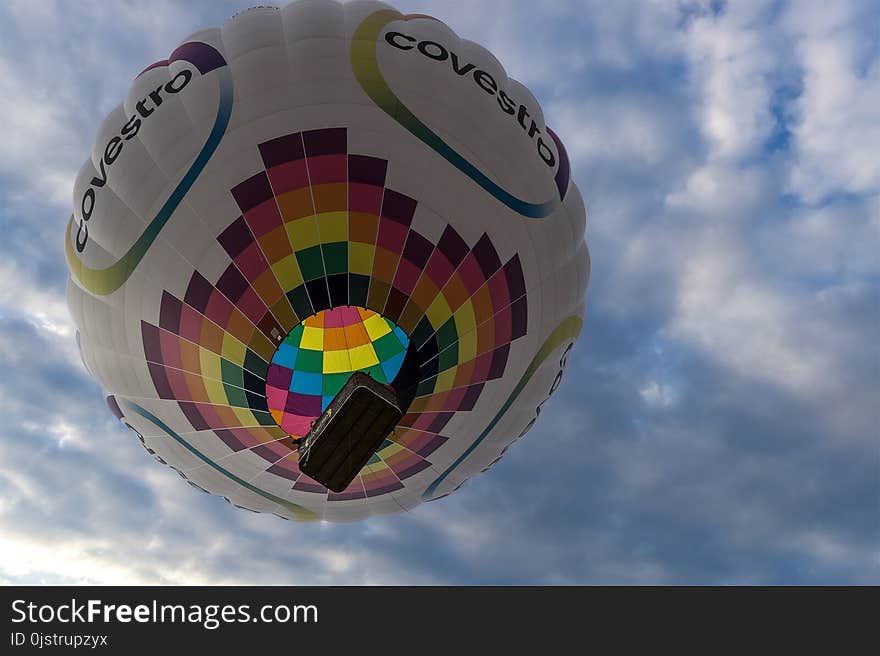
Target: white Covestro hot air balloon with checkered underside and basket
311	216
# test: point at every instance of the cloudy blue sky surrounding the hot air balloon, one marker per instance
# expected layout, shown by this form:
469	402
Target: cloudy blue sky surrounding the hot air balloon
719	422
